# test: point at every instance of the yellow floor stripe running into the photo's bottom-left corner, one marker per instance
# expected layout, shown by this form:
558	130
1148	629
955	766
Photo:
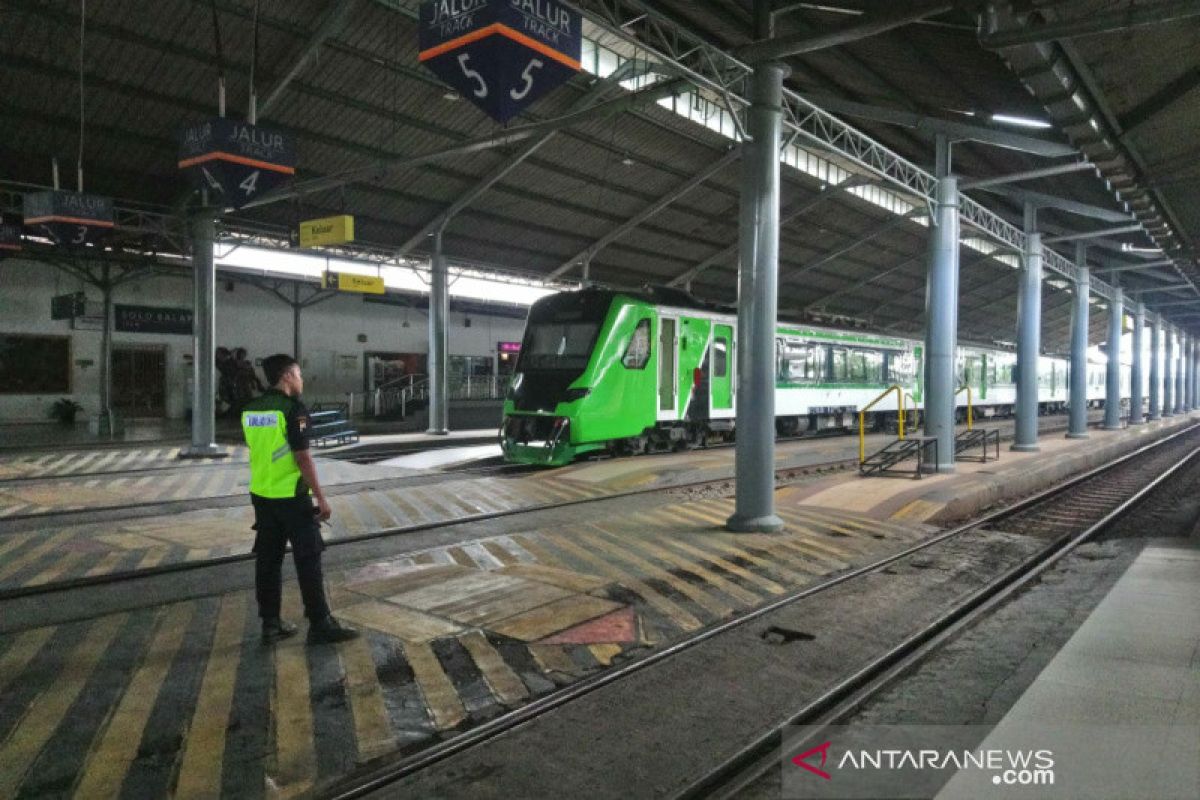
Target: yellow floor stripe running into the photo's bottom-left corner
46	713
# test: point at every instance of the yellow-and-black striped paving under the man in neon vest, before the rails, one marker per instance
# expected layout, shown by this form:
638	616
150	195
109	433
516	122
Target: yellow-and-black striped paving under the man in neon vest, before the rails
184	701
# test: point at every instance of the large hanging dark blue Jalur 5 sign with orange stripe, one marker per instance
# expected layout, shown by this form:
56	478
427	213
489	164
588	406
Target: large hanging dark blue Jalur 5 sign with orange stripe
501	55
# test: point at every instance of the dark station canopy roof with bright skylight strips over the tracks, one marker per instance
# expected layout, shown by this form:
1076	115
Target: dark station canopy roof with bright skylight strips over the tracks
344	77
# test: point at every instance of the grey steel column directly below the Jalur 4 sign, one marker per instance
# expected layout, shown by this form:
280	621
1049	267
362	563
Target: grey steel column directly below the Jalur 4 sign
203	340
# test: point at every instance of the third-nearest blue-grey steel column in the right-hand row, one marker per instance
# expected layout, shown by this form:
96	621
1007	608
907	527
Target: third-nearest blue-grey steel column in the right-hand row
1029	340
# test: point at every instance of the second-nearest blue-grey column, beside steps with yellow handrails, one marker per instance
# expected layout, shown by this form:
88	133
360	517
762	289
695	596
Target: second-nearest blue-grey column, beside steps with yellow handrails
943	316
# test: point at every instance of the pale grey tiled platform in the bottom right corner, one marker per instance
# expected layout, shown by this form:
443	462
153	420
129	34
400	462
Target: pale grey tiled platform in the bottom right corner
1124	690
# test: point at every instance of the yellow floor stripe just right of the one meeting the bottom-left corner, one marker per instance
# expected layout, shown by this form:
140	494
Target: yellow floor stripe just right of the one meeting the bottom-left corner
111	759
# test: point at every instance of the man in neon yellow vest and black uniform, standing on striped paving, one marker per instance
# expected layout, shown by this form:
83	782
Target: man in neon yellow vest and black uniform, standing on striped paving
283	476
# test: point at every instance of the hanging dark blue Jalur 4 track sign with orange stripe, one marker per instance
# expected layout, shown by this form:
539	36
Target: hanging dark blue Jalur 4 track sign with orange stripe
235	161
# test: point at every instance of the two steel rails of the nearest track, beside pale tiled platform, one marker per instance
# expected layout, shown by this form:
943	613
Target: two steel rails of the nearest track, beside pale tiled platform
1065	516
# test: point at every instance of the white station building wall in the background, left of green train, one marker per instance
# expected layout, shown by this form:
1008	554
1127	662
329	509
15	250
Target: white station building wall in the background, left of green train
333	358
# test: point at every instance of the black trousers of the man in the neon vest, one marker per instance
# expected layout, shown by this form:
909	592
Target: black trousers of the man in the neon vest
279	524
